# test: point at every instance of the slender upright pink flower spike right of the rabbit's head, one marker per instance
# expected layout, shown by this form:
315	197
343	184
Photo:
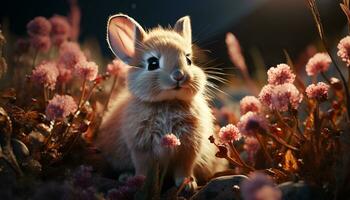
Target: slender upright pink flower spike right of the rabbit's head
235	52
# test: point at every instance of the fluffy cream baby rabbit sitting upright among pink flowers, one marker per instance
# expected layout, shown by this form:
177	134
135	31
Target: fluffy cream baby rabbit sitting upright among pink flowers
165	93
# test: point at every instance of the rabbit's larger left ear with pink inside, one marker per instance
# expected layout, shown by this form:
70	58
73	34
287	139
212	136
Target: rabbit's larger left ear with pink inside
123	36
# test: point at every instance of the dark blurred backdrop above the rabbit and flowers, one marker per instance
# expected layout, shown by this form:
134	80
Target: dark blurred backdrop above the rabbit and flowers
268	25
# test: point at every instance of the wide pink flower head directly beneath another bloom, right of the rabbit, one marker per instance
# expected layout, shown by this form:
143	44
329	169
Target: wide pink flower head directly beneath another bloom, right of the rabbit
279	97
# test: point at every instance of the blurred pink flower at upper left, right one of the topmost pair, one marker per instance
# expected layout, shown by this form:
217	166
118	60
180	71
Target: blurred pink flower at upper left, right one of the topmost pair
60	29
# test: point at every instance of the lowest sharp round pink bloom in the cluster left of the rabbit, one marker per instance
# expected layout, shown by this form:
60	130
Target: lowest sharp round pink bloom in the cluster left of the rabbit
60	106
